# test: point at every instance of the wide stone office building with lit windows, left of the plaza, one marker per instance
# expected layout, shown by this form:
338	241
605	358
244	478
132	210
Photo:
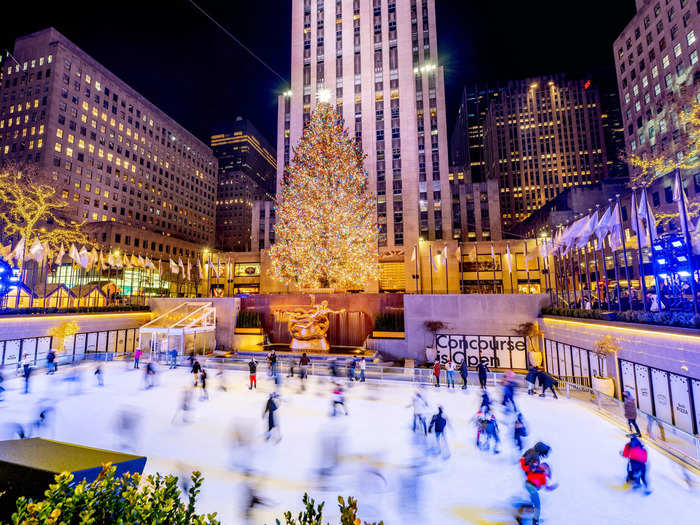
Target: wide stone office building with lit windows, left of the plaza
114	156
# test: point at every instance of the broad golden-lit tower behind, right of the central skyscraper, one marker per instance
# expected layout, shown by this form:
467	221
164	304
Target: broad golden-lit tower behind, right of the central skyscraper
543	135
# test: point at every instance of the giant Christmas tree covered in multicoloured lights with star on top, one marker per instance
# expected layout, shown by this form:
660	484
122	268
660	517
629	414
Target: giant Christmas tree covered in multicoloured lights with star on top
326	228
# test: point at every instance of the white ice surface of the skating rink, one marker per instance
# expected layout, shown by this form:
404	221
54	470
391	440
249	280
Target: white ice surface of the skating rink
379	460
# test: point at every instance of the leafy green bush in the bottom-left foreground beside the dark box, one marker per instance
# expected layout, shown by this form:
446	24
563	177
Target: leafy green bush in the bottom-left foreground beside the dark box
129	499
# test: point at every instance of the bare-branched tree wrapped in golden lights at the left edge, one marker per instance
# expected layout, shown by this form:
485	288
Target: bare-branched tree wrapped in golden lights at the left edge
31	209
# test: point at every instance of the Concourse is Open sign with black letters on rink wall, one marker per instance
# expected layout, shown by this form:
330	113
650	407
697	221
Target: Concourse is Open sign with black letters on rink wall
495	351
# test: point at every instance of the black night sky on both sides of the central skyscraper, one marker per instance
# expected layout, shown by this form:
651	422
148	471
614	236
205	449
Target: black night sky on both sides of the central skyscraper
185	65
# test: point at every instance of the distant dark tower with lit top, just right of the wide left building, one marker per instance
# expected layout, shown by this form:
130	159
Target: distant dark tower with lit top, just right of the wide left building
247	171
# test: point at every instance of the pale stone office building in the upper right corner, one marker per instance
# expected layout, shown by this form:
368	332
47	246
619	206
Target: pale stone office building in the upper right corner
655	55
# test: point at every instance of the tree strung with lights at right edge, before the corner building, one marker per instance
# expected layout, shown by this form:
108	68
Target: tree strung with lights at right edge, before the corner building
682	117
